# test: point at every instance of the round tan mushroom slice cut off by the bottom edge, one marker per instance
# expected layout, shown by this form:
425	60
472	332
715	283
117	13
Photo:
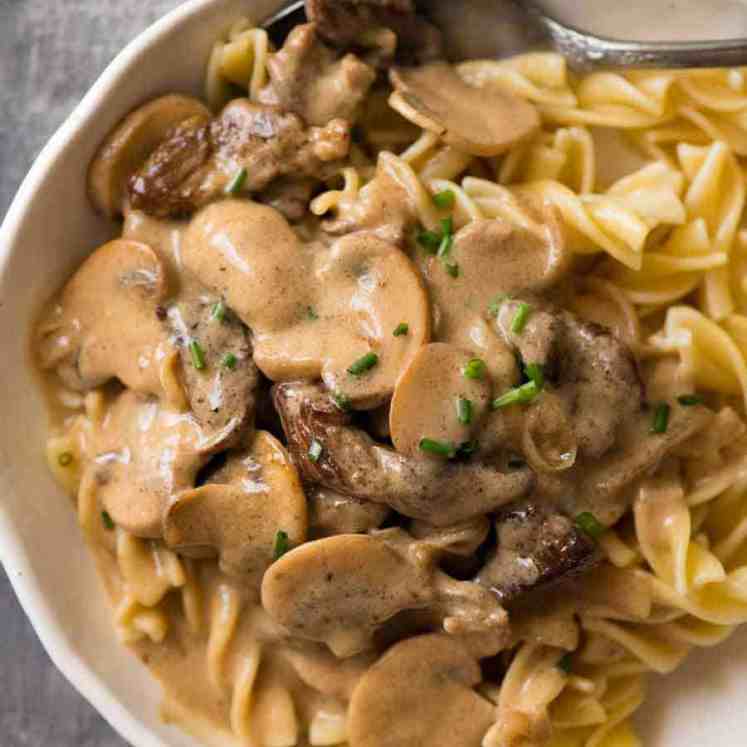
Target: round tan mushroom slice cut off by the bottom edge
420	693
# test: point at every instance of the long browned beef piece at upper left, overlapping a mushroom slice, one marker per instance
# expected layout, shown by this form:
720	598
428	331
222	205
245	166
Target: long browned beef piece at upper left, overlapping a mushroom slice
196	163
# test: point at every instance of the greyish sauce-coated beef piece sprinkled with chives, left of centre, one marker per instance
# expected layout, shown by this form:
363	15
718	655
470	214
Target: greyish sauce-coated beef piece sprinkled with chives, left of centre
221	391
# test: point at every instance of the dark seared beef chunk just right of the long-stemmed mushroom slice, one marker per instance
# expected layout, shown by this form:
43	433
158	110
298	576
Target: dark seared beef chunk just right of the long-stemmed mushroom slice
535	547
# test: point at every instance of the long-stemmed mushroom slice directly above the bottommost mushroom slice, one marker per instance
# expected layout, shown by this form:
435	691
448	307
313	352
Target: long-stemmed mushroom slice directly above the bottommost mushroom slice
339	590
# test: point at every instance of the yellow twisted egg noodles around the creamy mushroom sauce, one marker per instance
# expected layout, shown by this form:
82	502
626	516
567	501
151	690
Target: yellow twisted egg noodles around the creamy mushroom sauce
666	250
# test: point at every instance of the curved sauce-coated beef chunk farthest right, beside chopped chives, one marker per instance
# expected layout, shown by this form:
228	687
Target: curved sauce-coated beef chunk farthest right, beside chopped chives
593	372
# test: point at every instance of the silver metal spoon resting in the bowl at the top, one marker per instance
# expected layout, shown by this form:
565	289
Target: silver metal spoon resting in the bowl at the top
487	28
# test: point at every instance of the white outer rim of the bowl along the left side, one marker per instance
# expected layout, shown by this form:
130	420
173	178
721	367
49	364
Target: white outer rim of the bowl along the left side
13	554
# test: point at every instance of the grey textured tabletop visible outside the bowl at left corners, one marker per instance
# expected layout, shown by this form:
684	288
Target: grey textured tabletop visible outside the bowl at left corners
51	51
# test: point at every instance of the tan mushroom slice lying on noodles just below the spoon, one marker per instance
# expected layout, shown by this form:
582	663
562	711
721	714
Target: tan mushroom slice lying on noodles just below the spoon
478	121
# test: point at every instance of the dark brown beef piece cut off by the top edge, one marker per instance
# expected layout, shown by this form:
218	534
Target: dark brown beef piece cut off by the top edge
343	23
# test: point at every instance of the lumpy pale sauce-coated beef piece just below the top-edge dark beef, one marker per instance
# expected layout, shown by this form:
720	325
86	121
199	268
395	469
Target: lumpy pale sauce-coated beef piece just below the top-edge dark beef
311	80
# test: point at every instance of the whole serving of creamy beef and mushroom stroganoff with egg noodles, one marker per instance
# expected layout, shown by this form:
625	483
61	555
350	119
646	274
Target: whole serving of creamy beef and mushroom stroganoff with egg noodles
408	406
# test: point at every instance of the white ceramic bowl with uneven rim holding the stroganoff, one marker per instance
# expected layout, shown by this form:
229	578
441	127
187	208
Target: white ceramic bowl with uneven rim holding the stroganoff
50	227
